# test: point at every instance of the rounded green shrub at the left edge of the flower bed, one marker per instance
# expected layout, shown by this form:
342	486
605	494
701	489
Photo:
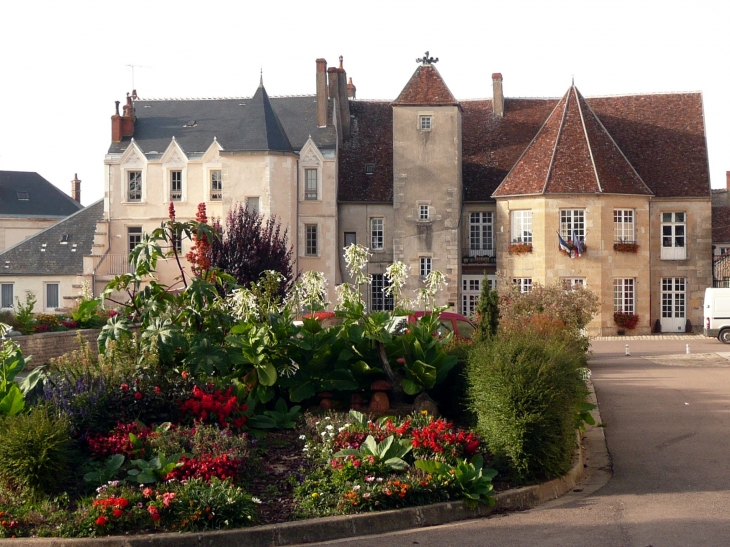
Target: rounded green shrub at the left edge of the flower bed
36	451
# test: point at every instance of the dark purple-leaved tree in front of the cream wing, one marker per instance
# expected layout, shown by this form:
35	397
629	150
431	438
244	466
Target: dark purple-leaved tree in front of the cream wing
251	245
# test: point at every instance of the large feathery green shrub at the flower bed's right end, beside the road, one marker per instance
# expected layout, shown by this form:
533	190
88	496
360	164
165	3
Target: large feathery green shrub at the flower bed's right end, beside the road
524	390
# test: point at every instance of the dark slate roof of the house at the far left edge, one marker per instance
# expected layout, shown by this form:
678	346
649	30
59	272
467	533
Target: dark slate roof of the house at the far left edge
43	198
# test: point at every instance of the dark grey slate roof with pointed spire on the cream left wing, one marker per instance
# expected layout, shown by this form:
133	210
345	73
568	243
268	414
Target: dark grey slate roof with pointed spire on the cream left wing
237	124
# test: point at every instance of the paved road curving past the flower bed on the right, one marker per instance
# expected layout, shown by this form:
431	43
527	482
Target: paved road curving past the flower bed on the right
668	434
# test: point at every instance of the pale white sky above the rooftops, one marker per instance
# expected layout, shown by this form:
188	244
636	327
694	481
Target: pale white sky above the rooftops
64	63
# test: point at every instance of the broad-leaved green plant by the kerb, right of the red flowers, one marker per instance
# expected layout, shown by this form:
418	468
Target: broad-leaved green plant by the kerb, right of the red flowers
474	482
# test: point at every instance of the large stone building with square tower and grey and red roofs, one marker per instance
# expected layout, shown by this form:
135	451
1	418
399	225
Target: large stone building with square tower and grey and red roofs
441	183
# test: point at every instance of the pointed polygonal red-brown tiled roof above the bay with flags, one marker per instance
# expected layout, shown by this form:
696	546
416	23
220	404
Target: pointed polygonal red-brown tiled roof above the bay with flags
572	153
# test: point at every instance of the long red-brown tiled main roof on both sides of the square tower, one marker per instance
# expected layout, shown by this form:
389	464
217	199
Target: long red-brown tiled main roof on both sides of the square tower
661	135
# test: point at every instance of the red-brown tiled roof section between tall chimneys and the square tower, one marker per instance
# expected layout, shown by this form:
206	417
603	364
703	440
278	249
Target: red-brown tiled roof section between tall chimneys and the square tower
371	143
